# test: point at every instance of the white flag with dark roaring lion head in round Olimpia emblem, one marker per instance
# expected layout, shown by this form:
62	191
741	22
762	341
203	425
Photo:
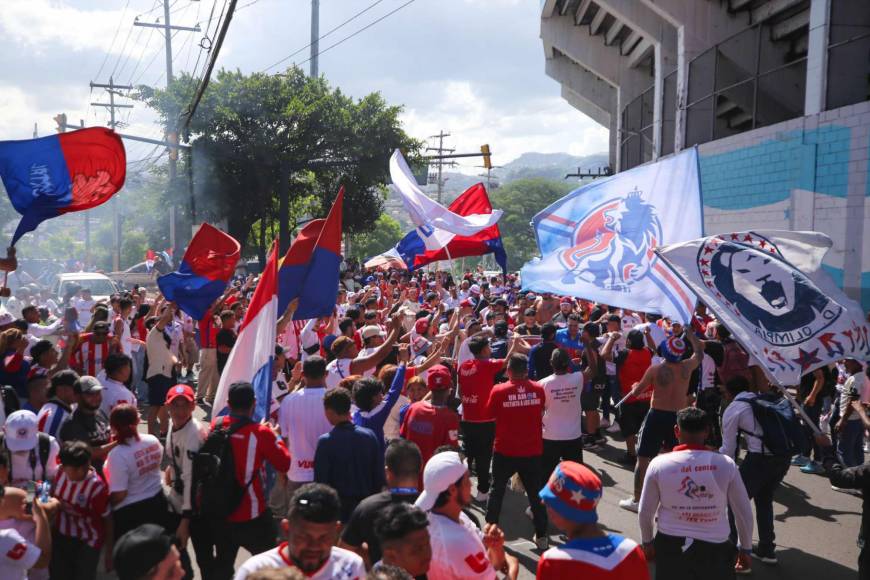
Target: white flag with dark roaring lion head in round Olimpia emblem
768	288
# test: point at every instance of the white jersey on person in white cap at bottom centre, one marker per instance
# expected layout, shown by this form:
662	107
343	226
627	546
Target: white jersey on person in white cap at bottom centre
457	549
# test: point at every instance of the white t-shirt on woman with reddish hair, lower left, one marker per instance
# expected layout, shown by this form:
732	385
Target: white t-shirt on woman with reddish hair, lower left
135	468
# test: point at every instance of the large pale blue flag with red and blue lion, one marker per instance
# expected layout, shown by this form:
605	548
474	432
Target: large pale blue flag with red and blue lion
598	242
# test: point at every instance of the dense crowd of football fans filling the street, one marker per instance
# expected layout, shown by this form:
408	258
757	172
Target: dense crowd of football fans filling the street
113	458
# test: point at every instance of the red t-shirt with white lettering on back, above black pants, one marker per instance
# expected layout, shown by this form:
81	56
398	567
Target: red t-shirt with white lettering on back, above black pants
518	410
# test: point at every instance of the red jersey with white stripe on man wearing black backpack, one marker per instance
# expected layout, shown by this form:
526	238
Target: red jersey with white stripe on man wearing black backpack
252	445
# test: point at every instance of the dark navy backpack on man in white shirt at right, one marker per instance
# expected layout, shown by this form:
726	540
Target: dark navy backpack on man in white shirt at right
781	430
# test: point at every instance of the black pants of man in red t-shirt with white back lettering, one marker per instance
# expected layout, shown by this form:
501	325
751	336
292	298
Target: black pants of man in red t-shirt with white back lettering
529	470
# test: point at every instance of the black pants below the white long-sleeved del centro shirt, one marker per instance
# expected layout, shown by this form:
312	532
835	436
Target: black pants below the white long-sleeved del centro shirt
700	561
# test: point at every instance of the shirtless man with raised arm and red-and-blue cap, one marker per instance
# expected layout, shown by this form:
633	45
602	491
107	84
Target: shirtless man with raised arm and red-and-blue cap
670	381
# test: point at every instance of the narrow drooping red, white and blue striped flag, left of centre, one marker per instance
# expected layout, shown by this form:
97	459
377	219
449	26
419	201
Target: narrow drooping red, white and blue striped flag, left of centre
252	356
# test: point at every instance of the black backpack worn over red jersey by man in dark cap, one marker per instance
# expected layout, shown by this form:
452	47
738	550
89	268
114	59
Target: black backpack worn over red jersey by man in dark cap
216	492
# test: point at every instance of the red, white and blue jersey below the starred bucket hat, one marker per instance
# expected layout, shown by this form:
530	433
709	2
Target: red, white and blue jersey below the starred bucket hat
609	558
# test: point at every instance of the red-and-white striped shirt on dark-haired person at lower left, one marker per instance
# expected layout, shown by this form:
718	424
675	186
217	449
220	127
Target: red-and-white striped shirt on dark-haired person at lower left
83	505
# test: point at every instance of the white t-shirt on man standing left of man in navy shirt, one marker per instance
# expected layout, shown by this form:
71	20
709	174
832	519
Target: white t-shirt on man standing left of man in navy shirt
303	421
